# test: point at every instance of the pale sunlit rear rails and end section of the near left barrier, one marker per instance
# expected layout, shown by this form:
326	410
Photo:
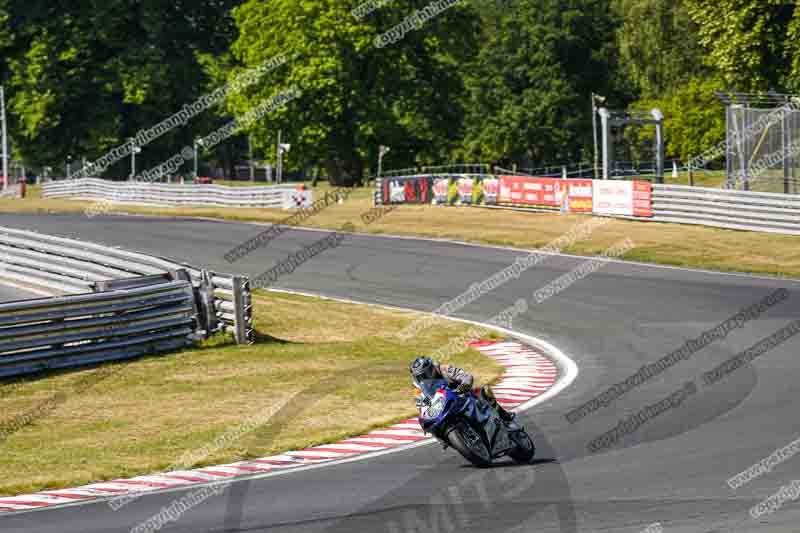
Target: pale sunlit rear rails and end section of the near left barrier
60	266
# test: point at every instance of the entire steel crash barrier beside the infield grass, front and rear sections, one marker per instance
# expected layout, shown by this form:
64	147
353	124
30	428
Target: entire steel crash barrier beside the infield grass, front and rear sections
107	303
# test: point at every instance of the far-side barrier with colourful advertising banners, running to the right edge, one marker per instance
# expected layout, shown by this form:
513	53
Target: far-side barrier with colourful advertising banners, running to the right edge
639	200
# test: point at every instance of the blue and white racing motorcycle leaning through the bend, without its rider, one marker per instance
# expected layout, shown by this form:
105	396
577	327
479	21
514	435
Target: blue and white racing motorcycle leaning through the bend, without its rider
470	426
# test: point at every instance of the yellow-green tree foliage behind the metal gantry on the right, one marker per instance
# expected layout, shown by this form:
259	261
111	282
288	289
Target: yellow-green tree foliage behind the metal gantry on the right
663	58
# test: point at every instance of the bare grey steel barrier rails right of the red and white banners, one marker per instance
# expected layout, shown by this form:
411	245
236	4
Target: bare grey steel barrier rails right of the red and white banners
745	210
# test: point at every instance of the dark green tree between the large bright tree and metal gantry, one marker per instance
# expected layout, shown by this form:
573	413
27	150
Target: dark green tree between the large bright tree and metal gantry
531	82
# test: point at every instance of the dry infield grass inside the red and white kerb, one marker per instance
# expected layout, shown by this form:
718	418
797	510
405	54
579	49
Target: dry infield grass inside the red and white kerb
329	370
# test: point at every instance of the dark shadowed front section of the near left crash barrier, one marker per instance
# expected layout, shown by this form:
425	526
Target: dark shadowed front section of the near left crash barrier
69	331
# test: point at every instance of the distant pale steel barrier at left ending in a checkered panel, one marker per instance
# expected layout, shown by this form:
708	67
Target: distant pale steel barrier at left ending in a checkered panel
278	196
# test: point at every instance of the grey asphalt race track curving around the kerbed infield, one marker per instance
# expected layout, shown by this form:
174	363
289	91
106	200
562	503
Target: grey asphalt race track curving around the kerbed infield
672	470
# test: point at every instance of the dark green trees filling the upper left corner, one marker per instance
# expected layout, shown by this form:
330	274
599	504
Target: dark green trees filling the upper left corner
83	77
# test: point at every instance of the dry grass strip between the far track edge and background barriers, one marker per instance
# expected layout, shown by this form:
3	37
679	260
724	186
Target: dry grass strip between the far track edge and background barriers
669	244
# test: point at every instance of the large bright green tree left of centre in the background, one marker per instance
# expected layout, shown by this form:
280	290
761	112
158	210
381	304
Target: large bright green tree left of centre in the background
356	95
